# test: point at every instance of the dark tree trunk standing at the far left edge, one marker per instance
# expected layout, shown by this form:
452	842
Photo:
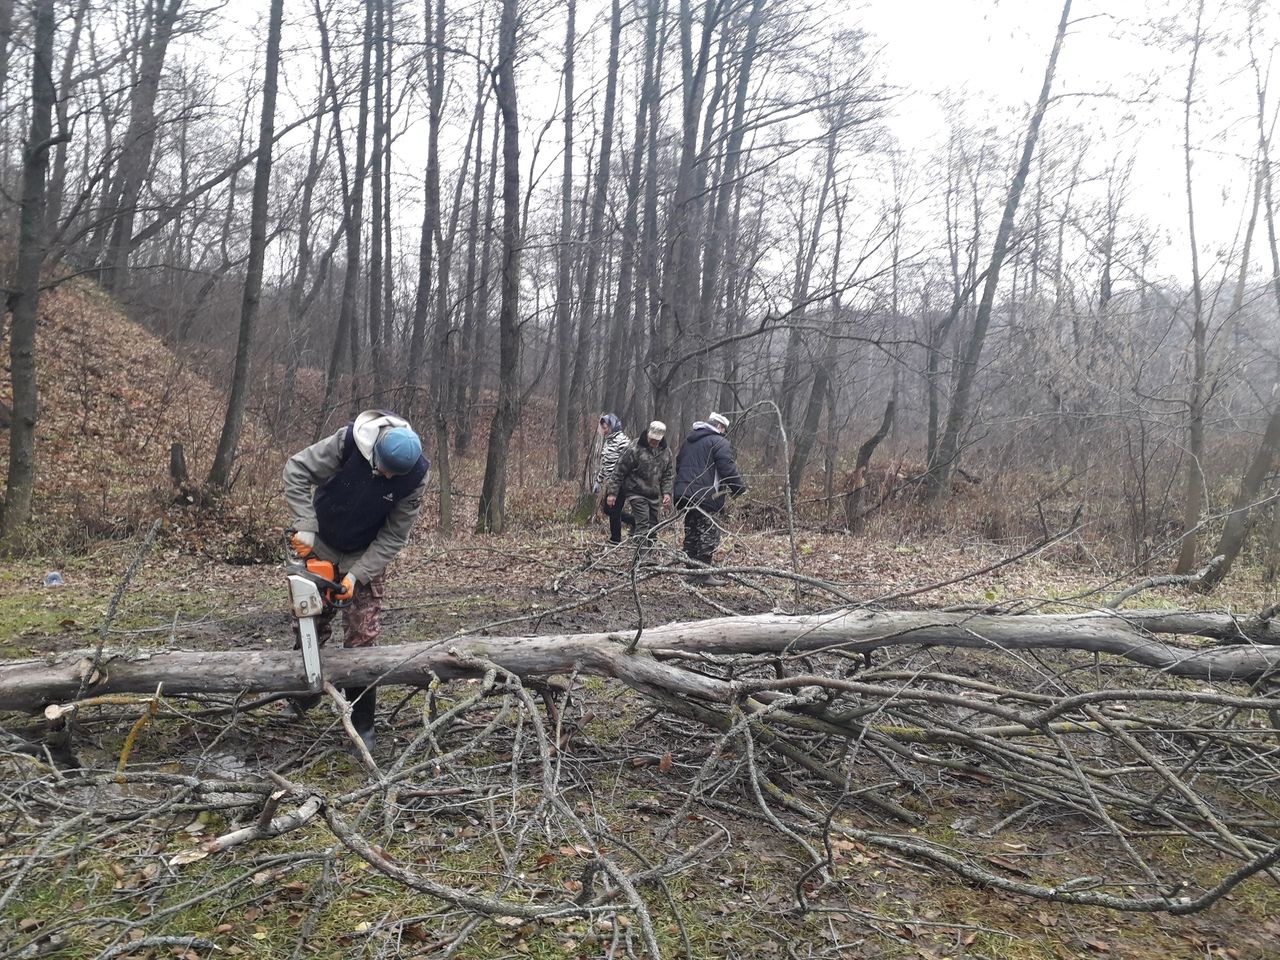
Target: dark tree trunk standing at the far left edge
25	300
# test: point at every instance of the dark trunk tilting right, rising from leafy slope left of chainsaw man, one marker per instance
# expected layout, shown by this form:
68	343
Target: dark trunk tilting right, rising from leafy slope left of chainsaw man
221	473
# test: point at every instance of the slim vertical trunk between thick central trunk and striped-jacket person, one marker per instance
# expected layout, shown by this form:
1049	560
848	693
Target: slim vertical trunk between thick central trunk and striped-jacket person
565	459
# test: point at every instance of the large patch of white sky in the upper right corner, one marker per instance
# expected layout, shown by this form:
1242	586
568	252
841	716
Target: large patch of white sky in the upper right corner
1122	76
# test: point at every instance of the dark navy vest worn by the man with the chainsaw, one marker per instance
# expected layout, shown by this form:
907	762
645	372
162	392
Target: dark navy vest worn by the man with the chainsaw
354	504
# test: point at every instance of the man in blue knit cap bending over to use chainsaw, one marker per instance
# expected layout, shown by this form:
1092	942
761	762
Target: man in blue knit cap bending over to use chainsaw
355	497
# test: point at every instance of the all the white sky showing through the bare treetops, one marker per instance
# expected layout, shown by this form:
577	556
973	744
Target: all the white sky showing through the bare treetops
976	63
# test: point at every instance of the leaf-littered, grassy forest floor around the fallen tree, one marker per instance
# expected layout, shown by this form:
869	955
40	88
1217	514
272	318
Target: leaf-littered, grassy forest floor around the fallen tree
630	766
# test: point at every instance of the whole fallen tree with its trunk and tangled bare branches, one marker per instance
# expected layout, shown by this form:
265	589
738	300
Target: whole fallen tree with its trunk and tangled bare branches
836	732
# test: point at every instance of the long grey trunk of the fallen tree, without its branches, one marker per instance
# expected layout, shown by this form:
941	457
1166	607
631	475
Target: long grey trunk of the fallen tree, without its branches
1252	656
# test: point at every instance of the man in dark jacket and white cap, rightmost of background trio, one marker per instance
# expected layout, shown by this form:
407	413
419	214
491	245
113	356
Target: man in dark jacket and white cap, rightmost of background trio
706	472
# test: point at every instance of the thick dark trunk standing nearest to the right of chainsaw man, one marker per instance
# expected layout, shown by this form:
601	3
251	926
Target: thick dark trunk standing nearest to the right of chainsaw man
493	493
